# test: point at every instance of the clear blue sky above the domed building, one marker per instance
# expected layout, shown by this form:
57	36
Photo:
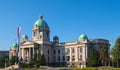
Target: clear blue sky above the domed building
66	18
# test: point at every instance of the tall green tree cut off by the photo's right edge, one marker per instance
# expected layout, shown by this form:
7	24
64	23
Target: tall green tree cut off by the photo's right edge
115	52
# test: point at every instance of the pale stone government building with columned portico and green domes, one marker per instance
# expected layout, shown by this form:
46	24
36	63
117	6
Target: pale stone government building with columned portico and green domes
71	54
